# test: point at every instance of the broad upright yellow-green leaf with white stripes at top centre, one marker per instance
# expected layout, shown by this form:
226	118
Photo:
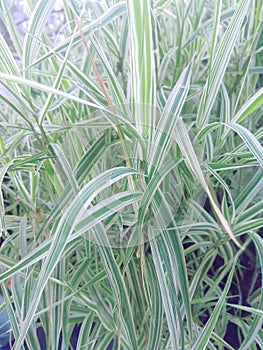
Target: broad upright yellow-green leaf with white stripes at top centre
143	80
